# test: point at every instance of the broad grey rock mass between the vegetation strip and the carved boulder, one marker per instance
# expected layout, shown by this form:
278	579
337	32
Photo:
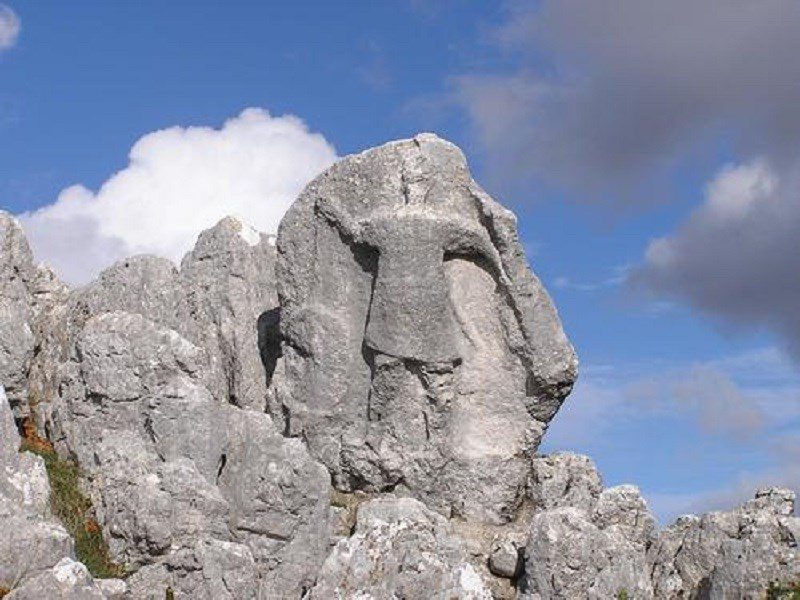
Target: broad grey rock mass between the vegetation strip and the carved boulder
154	380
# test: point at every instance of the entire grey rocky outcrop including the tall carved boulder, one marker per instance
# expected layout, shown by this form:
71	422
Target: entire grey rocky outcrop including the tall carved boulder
349	411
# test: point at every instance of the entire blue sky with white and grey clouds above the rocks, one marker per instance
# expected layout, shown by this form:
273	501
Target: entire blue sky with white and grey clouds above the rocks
604	125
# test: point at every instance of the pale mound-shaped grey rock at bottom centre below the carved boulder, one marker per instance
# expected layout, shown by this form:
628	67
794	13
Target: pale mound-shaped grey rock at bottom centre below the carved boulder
400	549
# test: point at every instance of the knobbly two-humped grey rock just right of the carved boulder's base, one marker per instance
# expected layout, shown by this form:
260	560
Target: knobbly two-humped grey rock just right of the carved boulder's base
584	542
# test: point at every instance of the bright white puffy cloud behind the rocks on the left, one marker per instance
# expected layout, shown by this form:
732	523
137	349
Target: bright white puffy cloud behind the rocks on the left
178	182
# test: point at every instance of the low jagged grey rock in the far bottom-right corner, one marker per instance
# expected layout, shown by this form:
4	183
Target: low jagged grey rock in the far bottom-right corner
733	554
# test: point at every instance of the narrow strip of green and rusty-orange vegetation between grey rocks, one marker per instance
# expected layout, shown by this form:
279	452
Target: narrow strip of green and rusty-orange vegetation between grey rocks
72	507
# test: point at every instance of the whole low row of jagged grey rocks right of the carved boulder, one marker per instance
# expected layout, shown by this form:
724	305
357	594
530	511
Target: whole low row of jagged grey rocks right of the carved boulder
587	542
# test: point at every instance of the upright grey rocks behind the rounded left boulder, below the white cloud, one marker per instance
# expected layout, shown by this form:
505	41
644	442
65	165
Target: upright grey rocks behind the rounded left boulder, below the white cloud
218	301
